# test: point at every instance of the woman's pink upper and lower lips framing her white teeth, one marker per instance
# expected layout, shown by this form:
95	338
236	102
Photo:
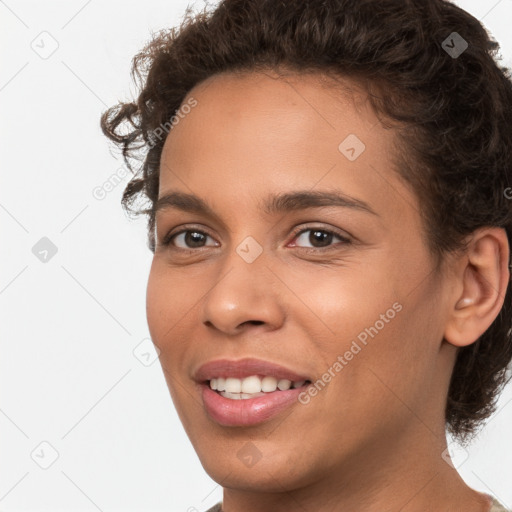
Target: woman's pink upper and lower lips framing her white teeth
251	411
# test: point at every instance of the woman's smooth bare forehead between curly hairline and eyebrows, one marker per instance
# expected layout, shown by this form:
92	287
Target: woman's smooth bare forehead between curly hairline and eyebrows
254	133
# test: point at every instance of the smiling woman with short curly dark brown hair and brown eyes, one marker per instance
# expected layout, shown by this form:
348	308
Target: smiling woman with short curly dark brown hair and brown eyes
328	203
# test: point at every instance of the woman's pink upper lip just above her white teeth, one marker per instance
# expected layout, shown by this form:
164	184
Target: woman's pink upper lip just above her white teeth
245	368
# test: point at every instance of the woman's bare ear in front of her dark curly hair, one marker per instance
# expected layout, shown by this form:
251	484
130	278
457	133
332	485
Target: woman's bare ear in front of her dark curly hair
482	277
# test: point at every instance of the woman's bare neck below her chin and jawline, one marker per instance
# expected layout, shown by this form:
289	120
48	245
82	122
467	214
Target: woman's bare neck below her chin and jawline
408	474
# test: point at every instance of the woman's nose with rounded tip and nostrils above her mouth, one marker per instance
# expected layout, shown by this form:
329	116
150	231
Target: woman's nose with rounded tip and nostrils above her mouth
244	297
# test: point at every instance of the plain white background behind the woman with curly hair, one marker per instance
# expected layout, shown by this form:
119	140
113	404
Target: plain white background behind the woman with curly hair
69	327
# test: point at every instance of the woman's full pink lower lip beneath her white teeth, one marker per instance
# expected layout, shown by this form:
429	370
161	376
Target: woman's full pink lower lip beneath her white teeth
250	411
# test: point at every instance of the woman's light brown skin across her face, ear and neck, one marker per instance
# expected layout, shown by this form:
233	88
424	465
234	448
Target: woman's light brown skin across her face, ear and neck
373	439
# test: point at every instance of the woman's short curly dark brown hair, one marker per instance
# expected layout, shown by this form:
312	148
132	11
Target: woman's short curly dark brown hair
455	114
